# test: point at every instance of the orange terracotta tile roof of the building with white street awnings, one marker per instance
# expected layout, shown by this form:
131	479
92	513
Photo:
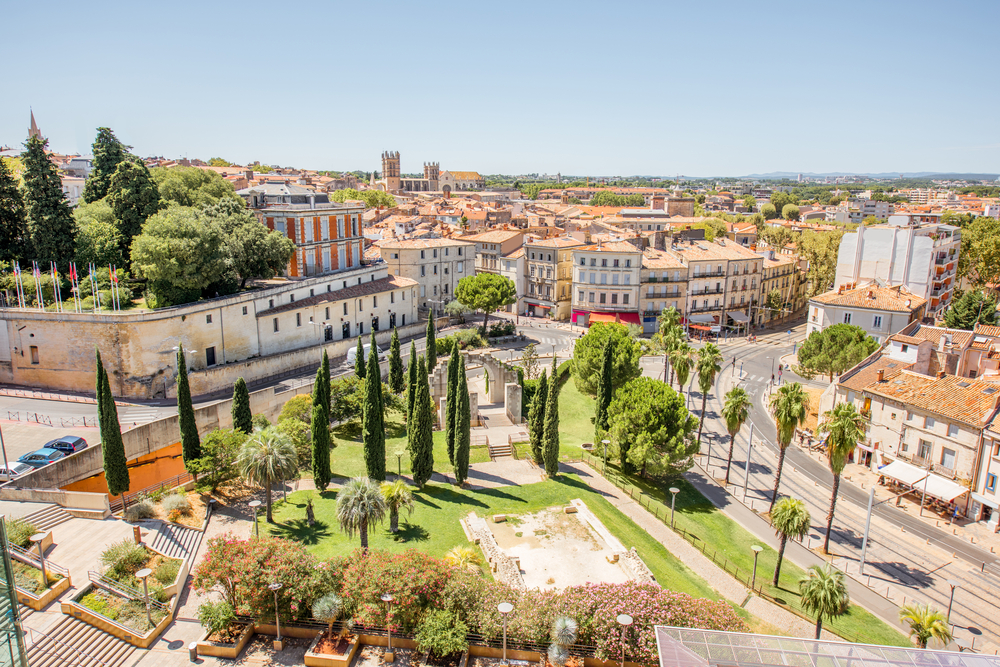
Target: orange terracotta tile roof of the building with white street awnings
960	399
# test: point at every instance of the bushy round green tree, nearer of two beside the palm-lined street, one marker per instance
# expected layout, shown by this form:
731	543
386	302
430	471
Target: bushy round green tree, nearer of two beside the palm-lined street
652	428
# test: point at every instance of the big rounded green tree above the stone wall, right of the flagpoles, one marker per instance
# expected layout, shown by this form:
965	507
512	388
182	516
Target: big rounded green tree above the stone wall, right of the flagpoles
179	253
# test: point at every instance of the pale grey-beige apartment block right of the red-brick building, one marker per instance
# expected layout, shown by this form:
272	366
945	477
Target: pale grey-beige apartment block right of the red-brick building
435	264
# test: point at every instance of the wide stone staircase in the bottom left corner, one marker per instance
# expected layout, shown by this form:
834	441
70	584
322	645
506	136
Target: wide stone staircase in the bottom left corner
73	643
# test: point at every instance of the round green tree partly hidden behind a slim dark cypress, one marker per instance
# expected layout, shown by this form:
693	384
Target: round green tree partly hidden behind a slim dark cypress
588	356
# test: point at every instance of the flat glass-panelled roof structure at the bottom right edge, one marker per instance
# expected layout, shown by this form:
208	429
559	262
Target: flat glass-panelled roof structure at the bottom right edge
690	647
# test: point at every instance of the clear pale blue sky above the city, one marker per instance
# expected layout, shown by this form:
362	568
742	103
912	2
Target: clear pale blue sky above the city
605	88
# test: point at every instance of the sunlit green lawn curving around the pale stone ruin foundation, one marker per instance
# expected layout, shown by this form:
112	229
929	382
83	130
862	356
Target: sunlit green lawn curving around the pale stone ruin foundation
434	525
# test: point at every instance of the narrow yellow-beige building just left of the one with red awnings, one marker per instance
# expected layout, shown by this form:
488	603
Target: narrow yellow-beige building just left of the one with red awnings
550	277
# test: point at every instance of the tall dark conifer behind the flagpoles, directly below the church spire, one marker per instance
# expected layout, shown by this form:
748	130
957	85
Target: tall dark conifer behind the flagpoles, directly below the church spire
50	218
